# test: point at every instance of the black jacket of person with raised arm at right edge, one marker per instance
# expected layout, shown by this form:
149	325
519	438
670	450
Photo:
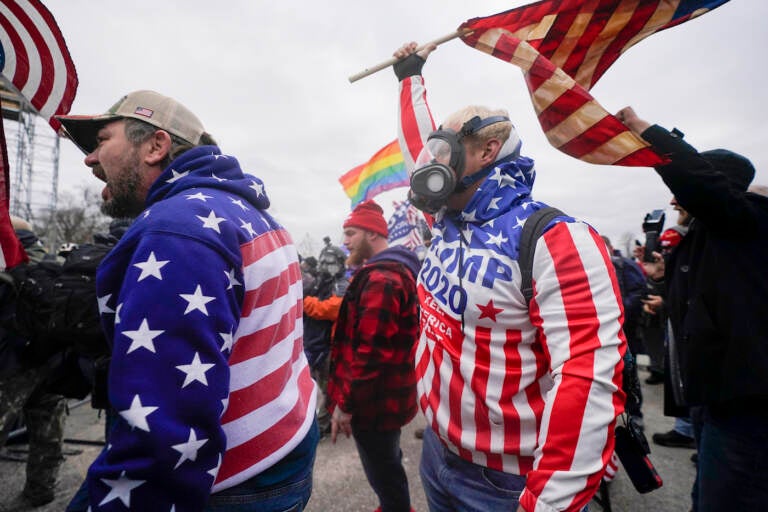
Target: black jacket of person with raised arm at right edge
717	295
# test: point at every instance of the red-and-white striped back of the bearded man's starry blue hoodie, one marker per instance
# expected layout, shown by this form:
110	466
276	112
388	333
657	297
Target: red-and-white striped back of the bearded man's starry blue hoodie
262	421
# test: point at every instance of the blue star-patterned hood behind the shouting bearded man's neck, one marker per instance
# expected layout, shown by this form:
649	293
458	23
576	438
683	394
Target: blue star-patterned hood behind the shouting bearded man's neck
206	167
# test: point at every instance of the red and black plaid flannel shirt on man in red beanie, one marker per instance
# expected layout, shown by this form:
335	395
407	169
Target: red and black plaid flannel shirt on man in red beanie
372	372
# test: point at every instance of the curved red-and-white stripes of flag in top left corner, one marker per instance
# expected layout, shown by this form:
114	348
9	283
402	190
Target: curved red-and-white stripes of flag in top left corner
37	61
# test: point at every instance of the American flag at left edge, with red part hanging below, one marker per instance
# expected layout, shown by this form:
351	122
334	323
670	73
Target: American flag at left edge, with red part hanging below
34	62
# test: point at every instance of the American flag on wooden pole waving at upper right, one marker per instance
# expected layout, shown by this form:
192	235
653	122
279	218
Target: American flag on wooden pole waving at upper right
563	48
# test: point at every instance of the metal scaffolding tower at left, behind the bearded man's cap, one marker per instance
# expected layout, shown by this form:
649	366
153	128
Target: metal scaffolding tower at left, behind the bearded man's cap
33	154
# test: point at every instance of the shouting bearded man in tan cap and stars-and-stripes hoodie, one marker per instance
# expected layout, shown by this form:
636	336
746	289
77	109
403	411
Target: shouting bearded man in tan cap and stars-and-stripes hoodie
201	303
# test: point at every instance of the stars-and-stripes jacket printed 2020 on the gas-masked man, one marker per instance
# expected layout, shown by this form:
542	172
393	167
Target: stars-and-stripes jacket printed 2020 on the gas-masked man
527	389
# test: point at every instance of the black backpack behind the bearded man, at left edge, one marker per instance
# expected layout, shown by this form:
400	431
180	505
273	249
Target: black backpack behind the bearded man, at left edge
55	305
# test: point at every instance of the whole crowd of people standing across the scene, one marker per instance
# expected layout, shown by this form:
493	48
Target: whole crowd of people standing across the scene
231	359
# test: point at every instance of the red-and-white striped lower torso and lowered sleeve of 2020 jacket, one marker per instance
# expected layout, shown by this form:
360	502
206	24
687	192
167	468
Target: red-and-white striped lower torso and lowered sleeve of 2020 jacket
536	395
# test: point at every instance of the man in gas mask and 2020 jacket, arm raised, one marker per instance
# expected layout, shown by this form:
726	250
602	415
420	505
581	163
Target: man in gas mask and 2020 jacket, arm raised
520	398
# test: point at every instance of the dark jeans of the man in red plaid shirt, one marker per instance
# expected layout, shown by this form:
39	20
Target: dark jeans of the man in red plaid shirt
381	457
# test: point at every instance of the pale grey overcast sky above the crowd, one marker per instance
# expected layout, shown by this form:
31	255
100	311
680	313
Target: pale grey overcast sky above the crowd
269	81
